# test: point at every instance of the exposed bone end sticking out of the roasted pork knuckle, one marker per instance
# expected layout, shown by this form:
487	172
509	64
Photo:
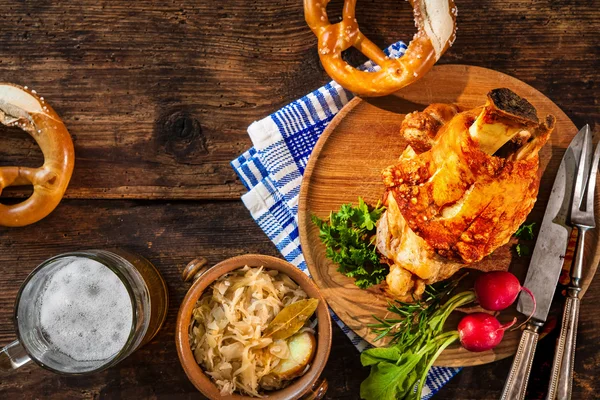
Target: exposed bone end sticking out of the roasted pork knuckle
504	116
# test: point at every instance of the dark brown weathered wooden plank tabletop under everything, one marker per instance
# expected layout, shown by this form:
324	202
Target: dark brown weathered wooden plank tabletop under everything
157	96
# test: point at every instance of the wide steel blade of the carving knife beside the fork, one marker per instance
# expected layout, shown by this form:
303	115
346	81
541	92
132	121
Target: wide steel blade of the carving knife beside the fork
551	245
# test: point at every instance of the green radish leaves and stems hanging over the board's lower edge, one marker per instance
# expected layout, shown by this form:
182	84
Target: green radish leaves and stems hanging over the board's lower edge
397	369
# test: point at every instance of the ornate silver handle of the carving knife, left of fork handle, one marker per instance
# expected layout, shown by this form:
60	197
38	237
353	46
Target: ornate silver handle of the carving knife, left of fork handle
516	383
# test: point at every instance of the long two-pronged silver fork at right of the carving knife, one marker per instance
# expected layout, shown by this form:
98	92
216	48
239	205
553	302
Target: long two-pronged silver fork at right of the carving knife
561	380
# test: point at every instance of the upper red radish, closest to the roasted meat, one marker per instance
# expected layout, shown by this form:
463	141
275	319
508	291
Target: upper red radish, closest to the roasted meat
497	290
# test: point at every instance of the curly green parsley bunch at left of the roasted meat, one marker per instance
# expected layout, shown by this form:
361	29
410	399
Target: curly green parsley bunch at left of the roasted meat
349	238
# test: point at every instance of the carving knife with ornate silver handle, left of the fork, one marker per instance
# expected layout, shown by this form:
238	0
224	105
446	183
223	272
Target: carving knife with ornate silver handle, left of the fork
544	269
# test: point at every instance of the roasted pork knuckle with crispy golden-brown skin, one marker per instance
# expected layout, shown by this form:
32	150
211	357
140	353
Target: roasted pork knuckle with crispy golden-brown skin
454	204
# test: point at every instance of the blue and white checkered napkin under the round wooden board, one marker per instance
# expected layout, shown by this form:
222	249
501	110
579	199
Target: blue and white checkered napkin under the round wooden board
272	171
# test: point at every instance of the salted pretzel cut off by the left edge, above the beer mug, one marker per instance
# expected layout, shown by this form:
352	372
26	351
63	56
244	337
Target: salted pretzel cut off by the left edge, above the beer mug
22	108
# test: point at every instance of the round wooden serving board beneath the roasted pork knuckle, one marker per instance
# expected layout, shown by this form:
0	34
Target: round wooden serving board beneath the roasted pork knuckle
363	139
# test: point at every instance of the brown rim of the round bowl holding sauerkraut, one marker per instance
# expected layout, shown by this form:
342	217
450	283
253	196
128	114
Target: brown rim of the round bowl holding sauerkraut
193	370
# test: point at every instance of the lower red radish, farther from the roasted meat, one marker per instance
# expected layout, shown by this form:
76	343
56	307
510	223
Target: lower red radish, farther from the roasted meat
481	331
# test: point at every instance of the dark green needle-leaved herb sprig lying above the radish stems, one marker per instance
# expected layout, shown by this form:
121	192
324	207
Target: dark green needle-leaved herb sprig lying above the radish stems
413	316
